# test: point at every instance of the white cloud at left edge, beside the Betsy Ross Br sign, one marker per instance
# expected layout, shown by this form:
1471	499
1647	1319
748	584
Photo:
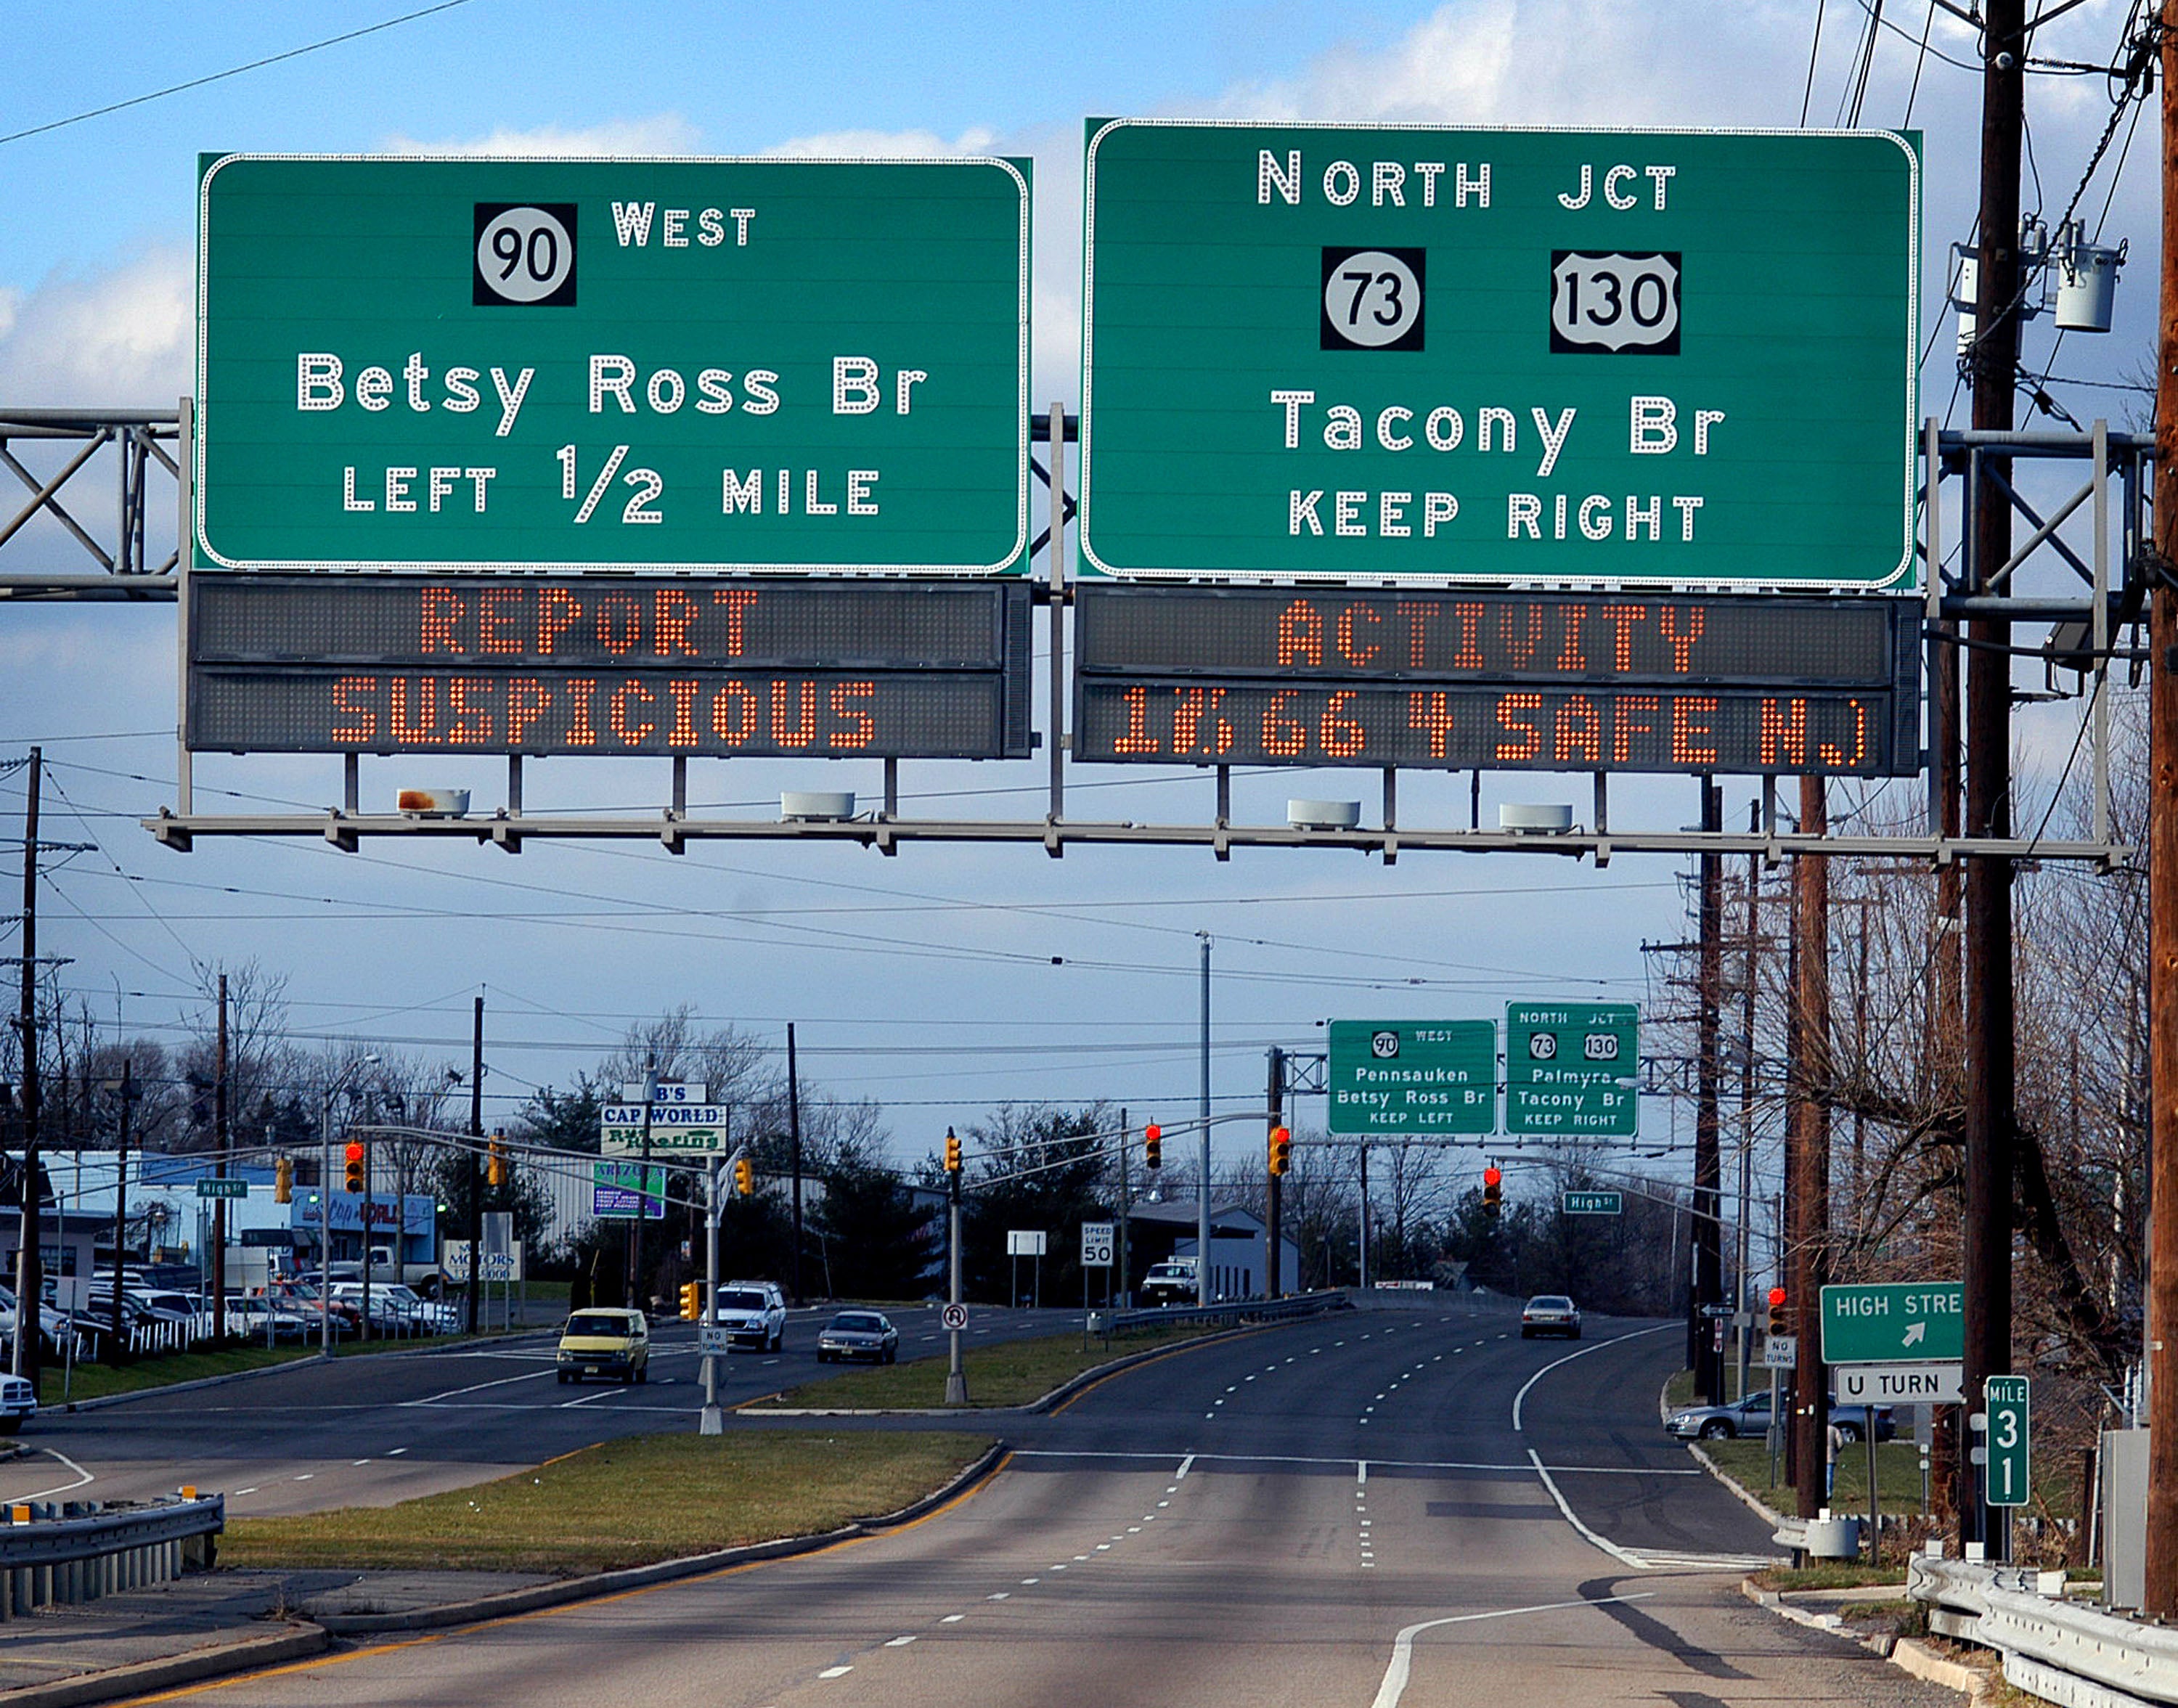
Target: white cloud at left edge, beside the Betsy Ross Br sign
106	341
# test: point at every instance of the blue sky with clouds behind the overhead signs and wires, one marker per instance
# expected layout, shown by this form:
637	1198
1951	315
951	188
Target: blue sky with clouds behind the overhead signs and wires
927	981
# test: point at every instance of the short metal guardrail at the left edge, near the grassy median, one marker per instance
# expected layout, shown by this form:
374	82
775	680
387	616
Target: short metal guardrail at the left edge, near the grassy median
84	1550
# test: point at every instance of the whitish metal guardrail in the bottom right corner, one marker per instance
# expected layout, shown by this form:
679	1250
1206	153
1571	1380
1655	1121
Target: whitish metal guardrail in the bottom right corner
2070	1655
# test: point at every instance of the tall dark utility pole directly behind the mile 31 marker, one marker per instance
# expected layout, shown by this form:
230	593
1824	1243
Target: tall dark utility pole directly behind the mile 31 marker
1987	1130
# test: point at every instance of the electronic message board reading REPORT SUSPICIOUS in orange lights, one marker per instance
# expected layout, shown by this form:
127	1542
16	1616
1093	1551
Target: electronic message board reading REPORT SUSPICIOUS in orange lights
607	666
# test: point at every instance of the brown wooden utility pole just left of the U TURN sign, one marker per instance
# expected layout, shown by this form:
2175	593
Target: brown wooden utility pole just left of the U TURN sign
1809	1210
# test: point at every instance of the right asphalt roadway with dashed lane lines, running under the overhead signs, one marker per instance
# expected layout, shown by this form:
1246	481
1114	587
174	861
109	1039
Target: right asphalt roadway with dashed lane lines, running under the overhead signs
1380	1511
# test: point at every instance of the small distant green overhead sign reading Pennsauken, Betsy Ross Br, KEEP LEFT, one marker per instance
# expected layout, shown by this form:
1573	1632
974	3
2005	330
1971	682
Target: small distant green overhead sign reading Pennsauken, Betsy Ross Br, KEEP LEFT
1412	1077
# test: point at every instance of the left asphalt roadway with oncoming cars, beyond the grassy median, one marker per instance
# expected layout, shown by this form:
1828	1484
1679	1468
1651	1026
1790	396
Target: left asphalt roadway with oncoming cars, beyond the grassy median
391	1426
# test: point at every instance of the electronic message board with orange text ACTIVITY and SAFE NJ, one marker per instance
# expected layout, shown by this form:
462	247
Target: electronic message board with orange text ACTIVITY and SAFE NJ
1497	681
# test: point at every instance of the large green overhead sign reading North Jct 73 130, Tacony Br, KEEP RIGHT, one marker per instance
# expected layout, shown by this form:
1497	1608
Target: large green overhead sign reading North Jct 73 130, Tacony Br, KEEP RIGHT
1569	356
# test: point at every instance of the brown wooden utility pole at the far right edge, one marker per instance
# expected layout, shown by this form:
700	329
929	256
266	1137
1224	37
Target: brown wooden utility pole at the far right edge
2159	1598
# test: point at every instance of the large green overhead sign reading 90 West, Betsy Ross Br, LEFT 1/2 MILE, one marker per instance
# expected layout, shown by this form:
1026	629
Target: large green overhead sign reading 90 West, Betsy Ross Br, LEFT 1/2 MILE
609	365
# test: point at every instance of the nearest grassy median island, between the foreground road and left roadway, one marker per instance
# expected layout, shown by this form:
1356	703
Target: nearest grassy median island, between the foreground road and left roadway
624	1504
